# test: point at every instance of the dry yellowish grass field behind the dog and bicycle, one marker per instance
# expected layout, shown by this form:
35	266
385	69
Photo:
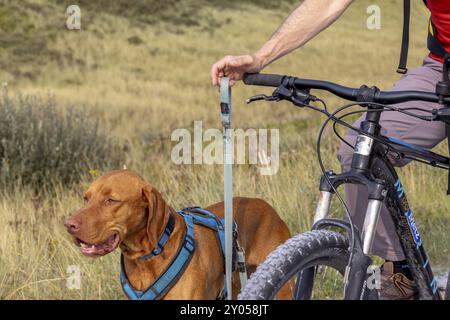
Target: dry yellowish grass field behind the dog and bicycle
143	75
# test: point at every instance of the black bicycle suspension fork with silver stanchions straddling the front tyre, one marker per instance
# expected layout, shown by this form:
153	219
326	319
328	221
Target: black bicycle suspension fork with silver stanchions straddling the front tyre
356	275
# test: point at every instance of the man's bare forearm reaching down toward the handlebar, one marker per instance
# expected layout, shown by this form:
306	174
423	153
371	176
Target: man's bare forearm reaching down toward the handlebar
303	24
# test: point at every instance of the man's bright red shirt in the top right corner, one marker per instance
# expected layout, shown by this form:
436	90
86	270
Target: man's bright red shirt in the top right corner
440	14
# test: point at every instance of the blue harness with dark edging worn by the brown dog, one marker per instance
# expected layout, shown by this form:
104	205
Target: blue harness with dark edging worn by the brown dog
170	276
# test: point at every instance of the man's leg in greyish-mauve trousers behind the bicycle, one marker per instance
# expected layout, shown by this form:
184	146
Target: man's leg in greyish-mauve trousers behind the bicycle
409	129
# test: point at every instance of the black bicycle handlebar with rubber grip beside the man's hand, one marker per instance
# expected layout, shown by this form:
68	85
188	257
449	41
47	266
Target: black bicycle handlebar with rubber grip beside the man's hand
351	94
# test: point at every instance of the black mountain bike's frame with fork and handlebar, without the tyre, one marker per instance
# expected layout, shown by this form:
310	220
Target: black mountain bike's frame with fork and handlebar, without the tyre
383	185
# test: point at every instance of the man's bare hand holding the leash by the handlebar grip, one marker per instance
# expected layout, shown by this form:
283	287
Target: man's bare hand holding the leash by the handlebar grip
235	67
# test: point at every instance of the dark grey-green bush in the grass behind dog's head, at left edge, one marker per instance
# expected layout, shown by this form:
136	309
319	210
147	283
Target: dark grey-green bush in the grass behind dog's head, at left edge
41	145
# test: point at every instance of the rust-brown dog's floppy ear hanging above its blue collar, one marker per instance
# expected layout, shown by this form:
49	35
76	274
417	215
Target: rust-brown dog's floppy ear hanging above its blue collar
157	211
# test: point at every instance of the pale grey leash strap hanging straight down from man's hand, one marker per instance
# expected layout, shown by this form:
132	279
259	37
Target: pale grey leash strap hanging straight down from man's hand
225	109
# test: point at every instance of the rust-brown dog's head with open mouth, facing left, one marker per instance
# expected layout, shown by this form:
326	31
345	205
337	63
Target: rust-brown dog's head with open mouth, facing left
119	207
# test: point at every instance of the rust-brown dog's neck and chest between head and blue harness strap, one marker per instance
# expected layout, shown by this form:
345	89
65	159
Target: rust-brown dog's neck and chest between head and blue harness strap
142	273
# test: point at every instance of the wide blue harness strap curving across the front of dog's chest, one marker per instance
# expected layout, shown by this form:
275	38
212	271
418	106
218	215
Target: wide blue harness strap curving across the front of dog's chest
171	274
